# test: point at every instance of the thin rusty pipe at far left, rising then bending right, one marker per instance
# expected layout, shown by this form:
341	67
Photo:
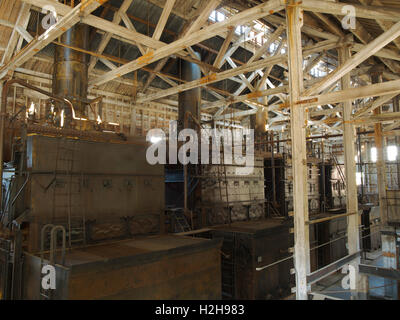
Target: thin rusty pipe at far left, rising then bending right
3	113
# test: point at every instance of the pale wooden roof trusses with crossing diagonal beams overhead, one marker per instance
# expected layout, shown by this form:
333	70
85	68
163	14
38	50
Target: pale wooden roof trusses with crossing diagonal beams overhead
247	74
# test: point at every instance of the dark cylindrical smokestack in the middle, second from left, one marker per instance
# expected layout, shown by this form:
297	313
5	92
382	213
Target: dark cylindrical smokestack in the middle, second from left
189	100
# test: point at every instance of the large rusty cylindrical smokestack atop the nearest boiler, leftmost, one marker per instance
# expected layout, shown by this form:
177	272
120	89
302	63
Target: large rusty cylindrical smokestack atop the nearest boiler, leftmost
70	75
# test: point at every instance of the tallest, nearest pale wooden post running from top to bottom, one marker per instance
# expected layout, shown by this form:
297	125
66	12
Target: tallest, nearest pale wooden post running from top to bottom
294	18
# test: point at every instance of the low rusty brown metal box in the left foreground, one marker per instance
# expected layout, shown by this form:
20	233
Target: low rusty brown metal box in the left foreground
160	267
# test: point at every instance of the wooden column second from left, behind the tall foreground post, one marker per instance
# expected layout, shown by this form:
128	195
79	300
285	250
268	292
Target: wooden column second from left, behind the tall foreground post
353	221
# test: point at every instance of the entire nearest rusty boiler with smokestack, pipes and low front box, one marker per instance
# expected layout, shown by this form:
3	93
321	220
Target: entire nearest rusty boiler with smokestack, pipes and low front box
80	197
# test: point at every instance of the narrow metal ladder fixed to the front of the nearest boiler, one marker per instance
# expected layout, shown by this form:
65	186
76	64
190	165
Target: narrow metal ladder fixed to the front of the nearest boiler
69	201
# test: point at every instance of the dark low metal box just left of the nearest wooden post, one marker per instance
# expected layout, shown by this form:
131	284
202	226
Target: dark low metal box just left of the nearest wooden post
250	245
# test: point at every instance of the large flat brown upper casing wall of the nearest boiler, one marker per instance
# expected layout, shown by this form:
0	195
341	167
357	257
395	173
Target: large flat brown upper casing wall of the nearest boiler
110	186
